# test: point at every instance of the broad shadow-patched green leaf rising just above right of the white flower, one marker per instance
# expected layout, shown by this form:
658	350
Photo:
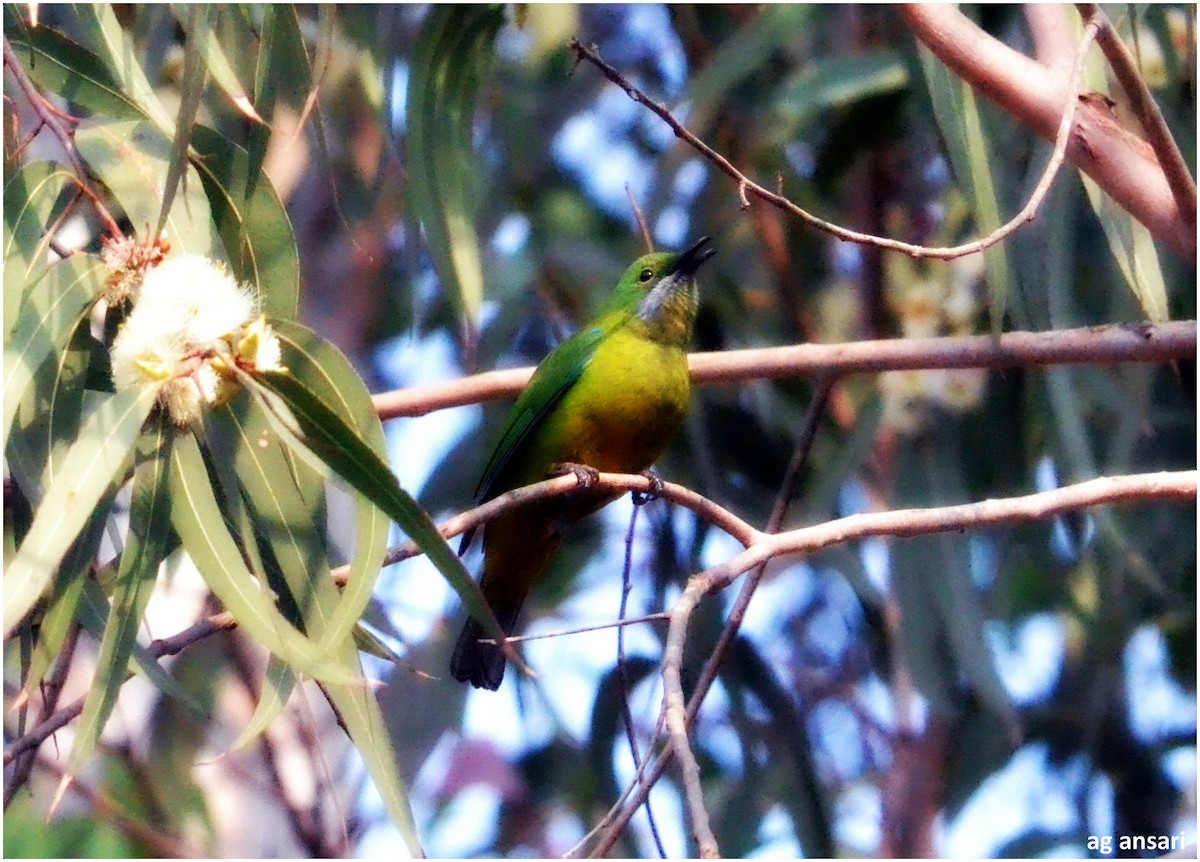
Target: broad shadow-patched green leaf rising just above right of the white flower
253	223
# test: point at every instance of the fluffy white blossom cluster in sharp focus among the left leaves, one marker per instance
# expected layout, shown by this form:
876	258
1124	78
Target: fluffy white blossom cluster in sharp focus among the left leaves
190	328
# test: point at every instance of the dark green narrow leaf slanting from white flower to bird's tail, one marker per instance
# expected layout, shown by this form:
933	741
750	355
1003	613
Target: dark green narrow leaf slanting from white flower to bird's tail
321	438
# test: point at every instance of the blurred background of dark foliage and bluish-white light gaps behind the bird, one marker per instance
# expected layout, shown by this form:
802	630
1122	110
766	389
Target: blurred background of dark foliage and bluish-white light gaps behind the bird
883	696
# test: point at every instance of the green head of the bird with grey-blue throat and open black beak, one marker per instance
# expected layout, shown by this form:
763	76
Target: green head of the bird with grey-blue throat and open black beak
661	291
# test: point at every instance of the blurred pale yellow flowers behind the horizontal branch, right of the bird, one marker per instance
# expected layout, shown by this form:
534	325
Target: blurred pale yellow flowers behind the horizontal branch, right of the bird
927	308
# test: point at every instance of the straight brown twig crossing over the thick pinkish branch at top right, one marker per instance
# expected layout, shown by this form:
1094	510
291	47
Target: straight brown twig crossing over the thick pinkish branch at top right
1125	67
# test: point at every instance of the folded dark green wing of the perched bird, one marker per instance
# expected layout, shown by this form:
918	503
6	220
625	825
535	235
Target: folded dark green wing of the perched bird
554	379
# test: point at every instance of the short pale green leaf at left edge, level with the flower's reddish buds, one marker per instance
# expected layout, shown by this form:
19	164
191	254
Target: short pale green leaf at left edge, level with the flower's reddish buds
29	199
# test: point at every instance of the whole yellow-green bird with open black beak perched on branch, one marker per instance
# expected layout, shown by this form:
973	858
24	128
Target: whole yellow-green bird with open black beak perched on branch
611	398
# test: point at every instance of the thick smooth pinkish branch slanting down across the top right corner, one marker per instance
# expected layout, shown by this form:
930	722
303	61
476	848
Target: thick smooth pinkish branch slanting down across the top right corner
1121	163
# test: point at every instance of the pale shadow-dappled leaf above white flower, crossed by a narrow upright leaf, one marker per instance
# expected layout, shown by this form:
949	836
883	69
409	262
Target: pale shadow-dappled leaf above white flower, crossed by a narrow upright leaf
134	160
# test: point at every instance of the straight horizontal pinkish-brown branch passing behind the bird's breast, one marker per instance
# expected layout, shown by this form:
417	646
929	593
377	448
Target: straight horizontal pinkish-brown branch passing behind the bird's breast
1108	344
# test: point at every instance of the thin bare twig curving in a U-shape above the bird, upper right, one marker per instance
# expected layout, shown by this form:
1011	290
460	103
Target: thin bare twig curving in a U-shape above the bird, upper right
945	254
